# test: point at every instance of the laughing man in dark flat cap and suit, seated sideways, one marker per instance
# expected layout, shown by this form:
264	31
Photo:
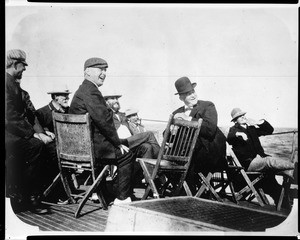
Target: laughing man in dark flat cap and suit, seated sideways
107	144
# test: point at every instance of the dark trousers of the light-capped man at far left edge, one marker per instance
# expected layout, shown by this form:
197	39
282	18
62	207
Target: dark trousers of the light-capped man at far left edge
29	163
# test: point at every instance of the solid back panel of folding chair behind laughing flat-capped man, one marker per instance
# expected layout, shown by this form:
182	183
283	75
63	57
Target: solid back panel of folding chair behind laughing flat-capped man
73	138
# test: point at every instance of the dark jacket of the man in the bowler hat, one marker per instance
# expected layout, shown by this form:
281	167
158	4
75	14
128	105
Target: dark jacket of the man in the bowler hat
210	150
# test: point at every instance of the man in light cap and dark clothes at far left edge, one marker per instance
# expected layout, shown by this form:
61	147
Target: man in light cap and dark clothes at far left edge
30	151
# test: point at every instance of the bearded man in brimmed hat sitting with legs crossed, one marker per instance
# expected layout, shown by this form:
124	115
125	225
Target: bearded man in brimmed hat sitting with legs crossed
143	145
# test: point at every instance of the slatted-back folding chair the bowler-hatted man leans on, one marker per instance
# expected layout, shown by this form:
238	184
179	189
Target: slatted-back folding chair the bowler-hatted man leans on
173	159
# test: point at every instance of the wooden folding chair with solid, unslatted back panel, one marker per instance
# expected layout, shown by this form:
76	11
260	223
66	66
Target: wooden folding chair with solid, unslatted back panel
75	154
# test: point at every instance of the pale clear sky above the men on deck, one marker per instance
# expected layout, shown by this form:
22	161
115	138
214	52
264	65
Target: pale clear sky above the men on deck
239	55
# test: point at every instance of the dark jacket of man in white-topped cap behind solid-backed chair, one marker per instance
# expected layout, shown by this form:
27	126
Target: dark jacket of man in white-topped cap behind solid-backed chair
44	115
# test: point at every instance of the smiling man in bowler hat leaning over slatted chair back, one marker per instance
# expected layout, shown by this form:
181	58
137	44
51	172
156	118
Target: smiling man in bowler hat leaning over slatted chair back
210	149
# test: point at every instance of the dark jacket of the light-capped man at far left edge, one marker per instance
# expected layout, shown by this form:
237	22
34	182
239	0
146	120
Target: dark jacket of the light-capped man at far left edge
20	118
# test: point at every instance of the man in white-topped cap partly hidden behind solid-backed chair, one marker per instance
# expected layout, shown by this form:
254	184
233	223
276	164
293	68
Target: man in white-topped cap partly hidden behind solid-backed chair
59	103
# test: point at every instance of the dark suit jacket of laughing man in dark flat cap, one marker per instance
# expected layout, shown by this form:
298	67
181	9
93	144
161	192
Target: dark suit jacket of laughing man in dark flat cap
89	99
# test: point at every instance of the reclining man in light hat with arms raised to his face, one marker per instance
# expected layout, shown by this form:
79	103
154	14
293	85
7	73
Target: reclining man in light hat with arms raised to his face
244	138
